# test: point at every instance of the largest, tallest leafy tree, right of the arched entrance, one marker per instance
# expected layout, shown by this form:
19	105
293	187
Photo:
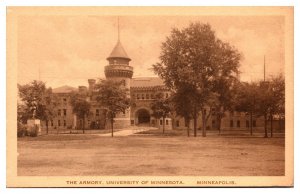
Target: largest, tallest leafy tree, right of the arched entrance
193	57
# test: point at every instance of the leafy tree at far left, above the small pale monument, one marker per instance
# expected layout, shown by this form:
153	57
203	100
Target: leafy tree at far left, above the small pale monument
36	96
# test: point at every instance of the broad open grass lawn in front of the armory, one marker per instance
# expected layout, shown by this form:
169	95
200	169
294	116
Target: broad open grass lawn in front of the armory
146	154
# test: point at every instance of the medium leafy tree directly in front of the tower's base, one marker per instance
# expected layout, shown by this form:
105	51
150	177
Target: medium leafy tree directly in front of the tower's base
114	97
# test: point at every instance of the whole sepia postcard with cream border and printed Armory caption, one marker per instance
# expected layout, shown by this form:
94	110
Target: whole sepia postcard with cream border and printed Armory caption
150	96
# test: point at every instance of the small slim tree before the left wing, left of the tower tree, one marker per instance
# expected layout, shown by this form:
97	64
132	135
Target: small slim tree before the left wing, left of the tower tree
81	107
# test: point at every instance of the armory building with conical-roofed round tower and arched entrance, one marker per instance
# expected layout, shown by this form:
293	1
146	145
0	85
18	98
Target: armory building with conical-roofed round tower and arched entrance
142	92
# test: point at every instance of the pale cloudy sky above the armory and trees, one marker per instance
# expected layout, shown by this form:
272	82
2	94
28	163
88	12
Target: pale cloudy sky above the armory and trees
68	50
